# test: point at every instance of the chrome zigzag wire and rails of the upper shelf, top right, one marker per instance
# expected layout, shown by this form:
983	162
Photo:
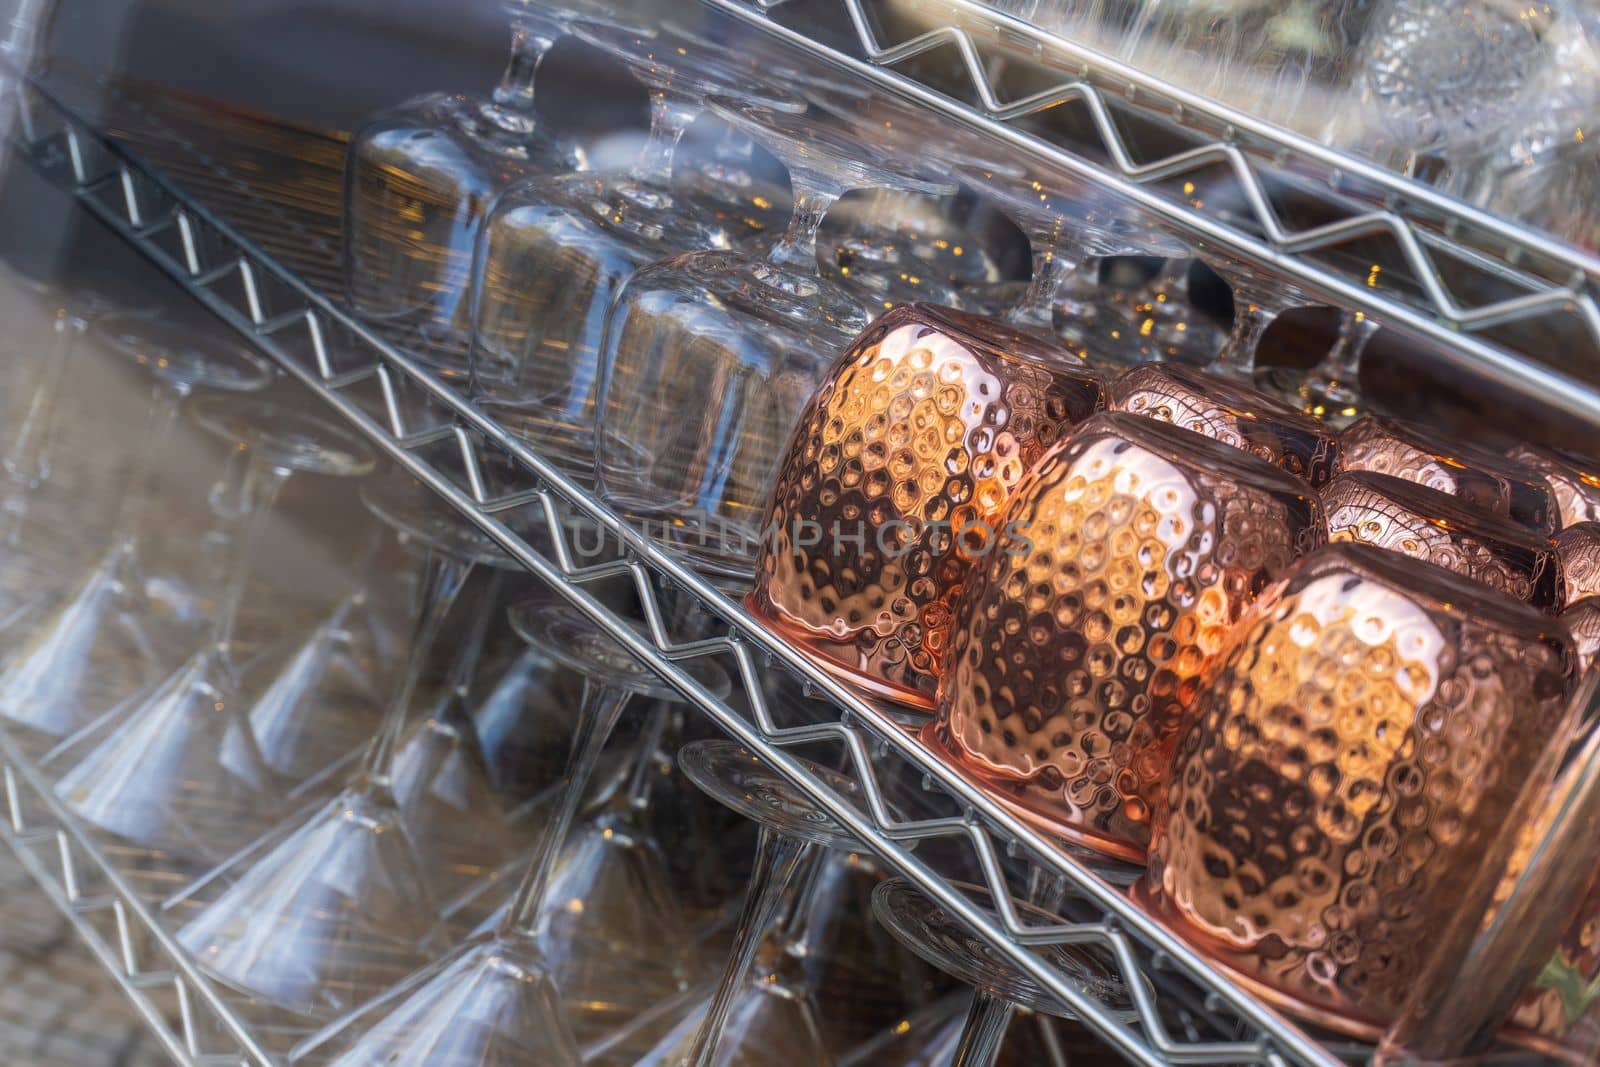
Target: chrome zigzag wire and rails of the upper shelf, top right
1423	223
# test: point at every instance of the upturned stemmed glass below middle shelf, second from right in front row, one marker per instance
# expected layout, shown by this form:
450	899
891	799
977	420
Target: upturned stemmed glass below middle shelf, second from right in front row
738	1025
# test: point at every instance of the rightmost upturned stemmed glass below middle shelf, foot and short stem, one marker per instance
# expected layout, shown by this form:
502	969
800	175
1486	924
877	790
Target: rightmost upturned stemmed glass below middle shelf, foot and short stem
940	938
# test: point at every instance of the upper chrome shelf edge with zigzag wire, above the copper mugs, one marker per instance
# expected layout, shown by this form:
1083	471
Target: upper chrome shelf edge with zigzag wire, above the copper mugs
1338	228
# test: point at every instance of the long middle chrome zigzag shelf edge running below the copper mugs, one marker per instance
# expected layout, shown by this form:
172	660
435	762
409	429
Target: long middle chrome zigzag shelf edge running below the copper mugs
314	343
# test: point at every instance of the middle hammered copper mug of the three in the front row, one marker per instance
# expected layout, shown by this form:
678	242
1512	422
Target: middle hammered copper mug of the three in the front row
1078	649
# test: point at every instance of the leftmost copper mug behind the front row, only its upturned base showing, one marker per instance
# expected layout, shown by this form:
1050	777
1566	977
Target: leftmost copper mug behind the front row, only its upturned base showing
1231	414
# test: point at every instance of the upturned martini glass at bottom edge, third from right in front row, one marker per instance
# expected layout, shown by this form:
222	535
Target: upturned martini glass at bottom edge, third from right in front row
500	997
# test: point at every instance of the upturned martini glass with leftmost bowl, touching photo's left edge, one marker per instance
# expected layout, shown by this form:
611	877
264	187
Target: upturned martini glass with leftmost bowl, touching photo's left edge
98	647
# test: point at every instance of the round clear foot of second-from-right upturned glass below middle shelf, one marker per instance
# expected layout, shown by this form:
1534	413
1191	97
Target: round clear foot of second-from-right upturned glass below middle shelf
729	773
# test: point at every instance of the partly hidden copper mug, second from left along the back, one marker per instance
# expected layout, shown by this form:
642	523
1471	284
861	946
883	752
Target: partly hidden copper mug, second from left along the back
1478	476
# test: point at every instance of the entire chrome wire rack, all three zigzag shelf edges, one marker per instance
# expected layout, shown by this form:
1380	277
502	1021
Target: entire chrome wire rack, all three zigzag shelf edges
1185	1012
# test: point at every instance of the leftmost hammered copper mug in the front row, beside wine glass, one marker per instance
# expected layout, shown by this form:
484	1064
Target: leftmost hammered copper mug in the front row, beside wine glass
894	484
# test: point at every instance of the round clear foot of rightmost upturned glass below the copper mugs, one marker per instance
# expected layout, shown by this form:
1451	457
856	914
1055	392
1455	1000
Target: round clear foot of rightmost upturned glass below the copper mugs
945	941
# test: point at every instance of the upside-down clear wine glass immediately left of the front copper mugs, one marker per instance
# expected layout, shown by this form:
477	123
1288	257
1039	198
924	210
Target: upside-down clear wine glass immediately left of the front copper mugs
711	358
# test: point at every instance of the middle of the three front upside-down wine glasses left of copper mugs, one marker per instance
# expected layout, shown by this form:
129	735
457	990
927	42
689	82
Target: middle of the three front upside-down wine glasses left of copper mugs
554	254
